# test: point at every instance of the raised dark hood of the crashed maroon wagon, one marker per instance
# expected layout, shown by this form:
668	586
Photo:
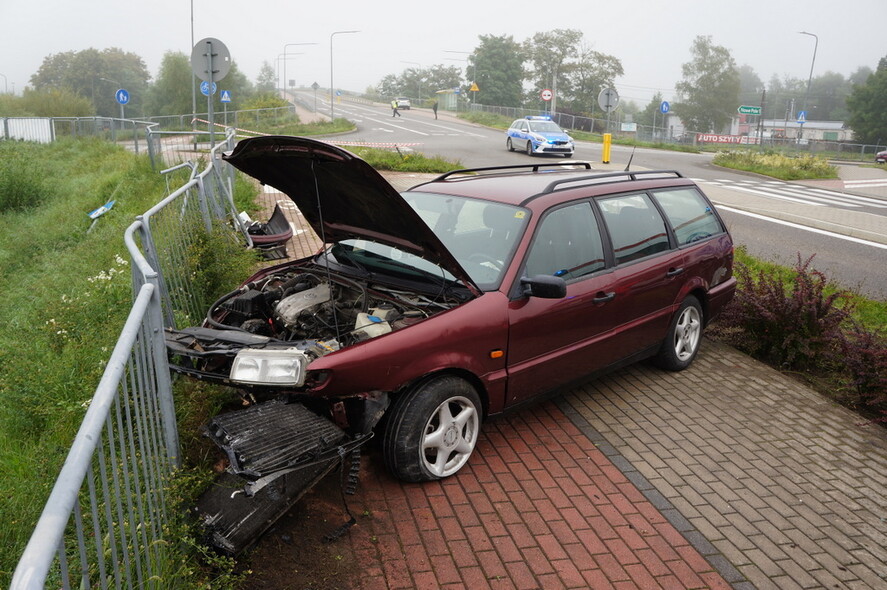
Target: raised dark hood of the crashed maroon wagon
341	196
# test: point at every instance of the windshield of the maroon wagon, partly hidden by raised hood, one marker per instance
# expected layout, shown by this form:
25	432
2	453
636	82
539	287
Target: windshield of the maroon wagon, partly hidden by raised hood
481	235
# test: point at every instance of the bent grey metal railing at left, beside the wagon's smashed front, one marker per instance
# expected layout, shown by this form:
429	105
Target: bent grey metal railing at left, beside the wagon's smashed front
106	521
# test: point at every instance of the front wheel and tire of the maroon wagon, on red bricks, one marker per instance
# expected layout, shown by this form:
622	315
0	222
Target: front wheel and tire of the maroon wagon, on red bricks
433	430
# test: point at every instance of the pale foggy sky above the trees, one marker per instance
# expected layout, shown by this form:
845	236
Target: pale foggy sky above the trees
651	38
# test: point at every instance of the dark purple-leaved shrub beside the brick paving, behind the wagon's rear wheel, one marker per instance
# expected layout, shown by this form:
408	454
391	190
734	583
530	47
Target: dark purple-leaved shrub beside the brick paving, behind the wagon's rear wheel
796	322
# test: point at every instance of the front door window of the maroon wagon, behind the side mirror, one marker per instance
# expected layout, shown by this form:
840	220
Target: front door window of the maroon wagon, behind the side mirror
567	244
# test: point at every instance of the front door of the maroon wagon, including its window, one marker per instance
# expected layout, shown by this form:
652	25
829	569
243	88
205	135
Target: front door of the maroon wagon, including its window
555	341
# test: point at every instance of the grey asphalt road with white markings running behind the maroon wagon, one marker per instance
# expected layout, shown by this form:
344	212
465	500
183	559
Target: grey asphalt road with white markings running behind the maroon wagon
843	224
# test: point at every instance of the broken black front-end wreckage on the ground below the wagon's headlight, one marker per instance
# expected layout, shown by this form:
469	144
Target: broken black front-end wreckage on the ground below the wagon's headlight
277	452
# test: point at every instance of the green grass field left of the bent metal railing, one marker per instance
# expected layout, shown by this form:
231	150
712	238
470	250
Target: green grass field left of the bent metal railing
67	292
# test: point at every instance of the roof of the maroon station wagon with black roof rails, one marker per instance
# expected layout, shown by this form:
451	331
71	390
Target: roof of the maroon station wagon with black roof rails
541	185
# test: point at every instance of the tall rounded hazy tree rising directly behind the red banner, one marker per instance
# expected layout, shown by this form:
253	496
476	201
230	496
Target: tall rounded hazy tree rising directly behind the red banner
709	91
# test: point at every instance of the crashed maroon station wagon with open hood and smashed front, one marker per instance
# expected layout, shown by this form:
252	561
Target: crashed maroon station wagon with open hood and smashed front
461	298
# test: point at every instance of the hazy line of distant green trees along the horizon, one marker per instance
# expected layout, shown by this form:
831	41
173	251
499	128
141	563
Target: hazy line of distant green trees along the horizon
499	71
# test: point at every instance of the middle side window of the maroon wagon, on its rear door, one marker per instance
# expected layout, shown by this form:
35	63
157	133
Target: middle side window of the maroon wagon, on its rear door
636	228
